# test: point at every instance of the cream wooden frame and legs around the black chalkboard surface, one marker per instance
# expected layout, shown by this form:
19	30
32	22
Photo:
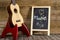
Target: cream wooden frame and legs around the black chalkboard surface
48	30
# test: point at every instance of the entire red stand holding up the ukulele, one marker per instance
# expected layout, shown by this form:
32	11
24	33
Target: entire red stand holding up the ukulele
14	31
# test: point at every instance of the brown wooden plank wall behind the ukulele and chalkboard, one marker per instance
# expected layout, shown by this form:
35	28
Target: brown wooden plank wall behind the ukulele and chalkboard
25	9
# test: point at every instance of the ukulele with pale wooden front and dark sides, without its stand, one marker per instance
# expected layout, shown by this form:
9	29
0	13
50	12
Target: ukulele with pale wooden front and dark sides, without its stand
15	16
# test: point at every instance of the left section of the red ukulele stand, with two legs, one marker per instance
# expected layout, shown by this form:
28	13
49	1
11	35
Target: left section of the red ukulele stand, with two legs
8	29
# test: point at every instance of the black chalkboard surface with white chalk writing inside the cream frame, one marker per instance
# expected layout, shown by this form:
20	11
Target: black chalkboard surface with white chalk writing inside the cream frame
40	18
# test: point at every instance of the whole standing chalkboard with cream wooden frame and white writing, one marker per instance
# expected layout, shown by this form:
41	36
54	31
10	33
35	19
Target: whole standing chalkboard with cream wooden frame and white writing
40	19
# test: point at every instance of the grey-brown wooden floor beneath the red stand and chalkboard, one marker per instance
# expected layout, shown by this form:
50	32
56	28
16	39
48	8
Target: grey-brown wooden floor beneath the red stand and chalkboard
34	37
